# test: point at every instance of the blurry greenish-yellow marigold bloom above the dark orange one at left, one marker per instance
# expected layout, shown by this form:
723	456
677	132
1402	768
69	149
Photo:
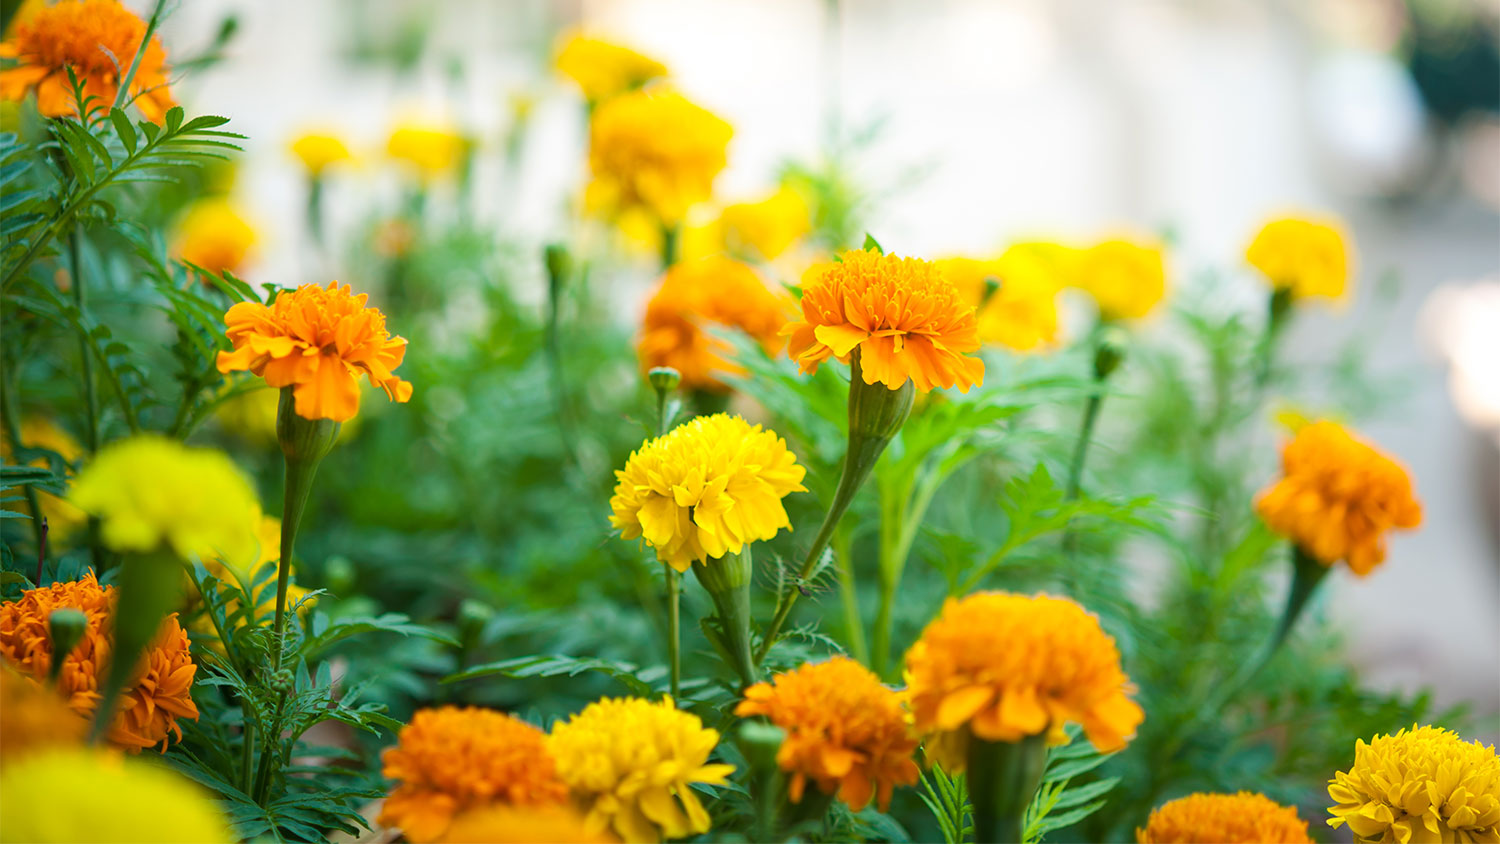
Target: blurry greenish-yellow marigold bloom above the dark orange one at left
154	492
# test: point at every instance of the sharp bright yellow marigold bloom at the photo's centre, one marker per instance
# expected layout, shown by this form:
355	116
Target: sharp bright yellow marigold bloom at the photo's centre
707	488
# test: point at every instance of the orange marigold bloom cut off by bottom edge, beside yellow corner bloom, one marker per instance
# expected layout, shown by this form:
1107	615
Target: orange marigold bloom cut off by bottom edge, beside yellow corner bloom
1228	819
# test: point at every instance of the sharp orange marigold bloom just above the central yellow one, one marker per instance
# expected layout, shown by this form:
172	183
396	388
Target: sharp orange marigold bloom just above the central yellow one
907	320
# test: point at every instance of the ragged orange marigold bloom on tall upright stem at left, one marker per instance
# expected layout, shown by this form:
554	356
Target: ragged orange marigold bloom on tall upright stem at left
317	341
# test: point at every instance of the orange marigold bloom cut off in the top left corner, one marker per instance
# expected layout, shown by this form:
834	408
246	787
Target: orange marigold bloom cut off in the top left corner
95	38
